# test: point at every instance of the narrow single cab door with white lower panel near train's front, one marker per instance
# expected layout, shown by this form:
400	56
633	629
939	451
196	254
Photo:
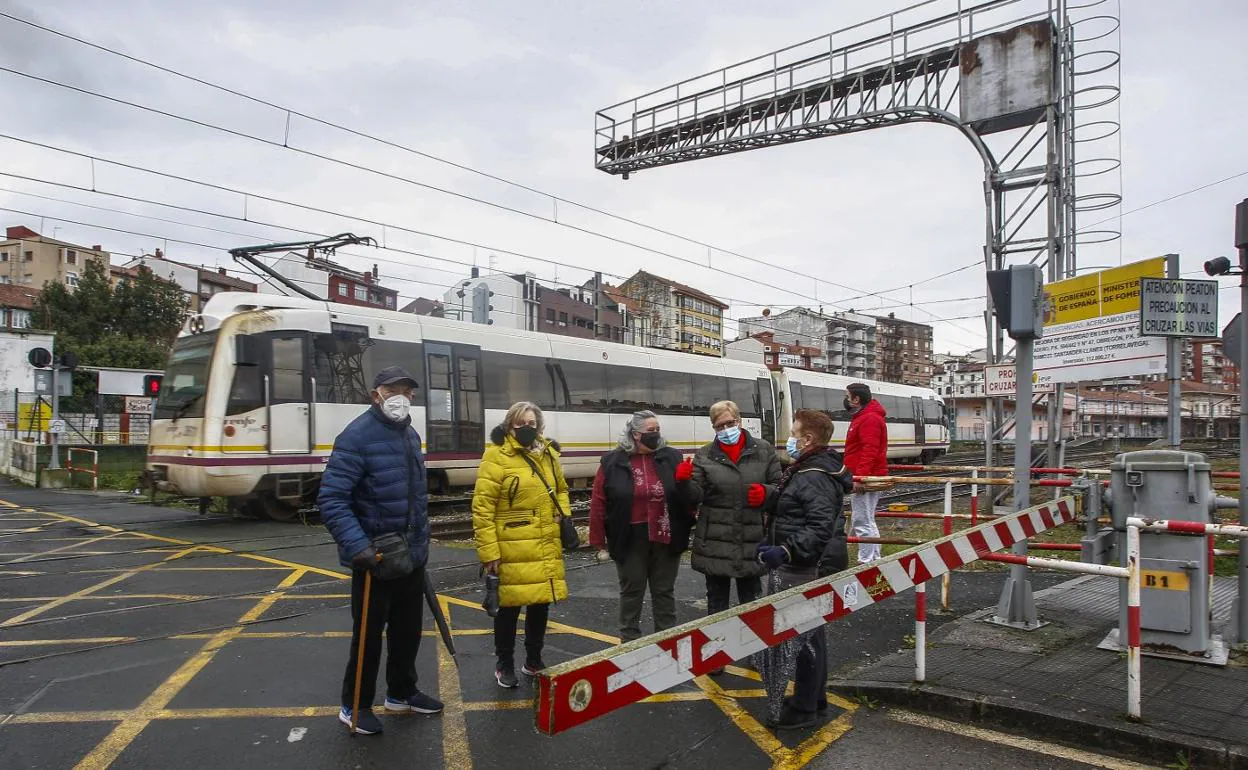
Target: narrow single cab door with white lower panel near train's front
290	394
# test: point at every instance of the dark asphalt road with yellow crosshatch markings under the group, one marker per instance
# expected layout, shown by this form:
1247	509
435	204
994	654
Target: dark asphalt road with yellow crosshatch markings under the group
143	637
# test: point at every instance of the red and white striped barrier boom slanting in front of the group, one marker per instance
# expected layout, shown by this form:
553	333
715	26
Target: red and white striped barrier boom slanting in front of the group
583	690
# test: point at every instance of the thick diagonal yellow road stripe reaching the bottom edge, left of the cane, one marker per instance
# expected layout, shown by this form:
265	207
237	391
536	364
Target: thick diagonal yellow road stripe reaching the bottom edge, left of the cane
125	733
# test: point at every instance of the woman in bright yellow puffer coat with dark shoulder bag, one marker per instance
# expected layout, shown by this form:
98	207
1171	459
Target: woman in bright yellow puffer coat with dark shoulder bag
521	495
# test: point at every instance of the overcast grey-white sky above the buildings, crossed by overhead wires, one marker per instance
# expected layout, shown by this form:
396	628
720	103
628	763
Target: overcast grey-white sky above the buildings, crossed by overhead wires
511	89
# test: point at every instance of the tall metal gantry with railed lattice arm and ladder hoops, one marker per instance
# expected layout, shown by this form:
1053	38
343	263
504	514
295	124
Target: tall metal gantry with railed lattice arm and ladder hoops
1024	80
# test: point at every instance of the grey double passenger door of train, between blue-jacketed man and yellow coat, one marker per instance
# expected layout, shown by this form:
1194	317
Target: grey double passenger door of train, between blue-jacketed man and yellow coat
455	411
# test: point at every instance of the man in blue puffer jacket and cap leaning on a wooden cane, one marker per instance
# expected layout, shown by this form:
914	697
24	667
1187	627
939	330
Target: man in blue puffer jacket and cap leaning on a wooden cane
375	485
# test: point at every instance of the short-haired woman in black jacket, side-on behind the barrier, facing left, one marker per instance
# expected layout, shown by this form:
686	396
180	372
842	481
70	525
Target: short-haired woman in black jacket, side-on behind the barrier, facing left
806	520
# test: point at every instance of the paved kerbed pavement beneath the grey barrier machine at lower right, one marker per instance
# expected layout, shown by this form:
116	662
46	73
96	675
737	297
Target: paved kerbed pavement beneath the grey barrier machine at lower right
1056	685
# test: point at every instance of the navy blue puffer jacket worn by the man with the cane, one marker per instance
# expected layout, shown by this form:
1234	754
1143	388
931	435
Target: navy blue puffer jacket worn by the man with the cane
375	484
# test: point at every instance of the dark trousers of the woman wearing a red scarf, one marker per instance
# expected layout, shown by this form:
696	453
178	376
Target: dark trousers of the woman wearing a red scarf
647	565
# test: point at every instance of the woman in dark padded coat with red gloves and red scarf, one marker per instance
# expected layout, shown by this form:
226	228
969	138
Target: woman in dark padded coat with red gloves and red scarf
729	479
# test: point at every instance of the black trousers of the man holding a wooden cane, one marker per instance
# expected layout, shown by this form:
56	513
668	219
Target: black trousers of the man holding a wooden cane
396	607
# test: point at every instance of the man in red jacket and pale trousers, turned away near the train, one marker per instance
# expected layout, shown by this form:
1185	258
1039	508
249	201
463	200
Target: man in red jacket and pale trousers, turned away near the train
867	454
